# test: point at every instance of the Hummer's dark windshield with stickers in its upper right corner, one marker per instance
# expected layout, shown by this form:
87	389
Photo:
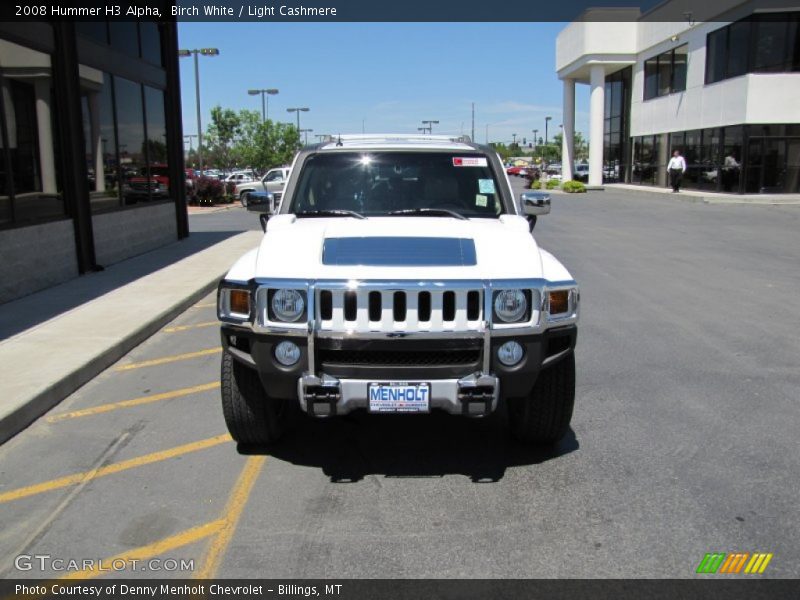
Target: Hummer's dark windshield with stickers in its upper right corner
380	183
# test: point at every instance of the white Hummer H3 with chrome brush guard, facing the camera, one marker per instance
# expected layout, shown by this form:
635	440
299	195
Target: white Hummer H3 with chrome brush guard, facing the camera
398	281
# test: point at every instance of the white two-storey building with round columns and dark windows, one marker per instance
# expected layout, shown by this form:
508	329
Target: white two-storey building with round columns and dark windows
722	91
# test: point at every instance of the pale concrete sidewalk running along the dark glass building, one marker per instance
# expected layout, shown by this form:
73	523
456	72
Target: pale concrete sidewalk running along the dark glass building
49	360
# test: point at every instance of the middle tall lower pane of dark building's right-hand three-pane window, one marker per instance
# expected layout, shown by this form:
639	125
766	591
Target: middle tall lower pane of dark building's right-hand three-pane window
134	177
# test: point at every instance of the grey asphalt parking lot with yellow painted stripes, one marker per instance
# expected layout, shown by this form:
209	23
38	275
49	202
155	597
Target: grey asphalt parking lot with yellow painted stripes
684	439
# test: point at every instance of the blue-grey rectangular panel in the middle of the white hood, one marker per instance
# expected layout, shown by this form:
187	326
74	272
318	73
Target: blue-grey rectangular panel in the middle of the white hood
399	252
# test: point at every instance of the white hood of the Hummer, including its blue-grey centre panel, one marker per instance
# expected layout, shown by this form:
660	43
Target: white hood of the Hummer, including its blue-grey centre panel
398	248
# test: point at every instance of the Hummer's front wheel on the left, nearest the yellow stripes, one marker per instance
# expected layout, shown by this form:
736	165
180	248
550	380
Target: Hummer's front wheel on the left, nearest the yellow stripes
252	417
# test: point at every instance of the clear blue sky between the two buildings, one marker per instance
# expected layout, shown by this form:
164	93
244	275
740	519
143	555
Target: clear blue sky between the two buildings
384	77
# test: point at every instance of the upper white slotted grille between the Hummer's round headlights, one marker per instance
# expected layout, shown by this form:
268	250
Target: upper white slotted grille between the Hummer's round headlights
388	310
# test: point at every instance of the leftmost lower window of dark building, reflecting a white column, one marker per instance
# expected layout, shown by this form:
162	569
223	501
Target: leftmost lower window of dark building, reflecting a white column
30	185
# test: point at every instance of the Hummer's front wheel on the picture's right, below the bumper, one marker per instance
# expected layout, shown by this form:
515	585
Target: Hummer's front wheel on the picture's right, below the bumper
543	417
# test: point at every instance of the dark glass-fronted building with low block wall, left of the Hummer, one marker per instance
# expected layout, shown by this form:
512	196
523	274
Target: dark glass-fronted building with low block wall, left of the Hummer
91	148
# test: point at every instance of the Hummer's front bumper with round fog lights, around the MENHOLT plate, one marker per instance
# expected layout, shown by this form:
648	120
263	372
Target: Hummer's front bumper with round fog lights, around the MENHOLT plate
460	382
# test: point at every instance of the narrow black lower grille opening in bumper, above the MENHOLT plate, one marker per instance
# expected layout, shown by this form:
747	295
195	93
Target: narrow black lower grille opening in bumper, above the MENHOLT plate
400	358
